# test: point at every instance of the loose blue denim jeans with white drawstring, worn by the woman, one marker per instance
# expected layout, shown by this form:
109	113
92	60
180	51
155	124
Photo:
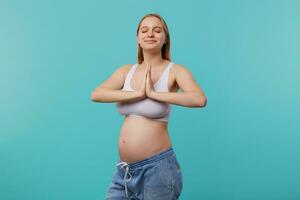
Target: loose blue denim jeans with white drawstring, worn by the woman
157	177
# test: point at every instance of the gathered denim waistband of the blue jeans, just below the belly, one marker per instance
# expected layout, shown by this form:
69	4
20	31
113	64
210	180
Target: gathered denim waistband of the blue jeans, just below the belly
151	159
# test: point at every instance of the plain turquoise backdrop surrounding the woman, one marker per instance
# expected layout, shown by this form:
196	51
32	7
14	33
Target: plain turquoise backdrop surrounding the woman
56	144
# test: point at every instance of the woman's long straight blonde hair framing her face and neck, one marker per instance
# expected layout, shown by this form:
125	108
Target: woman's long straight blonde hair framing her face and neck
165	50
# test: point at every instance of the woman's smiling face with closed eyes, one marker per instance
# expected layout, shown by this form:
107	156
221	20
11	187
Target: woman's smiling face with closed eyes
151	35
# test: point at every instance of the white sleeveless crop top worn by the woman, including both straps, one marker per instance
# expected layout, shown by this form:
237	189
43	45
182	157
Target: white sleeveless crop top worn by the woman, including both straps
147	107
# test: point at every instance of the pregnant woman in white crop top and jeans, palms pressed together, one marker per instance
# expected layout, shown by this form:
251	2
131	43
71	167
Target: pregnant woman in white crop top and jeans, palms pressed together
147	167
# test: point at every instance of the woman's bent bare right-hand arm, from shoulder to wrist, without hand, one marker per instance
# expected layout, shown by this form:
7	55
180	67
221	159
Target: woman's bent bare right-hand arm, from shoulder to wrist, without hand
192	95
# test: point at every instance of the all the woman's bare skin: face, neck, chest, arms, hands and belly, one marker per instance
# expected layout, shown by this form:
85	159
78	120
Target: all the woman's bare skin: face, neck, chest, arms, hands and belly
142	137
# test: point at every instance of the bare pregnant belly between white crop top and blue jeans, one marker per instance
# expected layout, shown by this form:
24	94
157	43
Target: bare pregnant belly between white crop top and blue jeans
141	138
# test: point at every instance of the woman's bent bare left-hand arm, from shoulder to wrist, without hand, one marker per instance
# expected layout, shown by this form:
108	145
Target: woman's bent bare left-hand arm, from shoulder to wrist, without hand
110	90
